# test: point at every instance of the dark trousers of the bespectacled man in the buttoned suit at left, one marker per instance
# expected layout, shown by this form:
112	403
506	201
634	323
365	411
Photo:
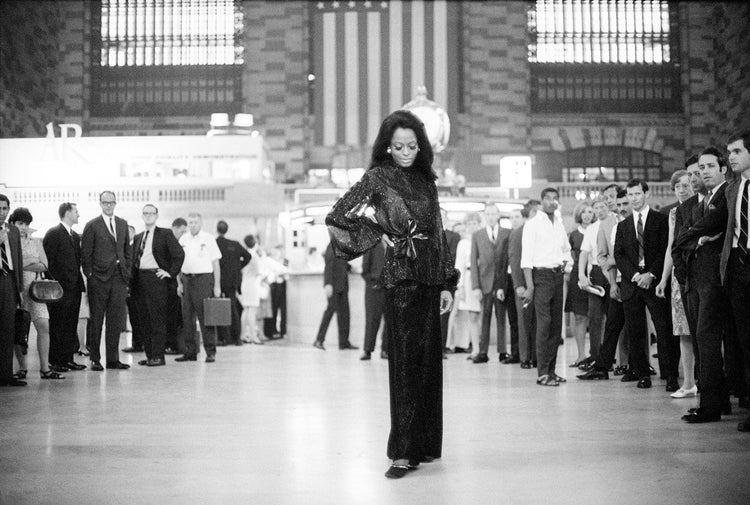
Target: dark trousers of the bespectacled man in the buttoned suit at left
106	299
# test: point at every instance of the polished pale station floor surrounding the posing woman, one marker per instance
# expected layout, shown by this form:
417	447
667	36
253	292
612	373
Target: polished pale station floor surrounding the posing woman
285	423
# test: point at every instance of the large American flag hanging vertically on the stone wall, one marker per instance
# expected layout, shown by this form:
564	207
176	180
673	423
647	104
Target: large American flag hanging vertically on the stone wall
369	57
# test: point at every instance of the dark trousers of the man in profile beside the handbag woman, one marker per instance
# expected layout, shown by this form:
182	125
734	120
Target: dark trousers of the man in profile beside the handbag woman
63	327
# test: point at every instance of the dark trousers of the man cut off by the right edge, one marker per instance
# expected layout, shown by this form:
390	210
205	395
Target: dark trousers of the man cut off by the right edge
738	289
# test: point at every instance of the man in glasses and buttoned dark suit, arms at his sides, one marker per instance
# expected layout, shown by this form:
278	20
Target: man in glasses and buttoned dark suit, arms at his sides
105	257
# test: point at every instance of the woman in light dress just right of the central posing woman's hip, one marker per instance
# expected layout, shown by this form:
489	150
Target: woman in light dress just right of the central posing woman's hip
464	325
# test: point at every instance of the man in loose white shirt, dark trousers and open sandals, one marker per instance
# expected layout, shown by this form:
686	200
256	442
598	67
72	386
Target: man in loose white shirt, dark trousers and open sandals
545	252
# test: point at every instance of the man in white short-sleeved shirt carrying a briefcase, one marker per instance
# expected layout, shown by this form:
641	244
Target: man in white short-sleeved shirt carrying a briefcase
199	279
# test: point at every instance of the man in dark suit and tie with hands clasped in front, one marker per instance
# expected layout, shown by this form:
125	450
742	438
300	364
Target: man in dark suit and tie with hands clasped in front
640	245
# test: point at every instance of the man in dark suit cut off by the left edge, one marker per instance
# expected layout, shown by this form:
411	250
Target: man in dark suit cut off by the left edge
11	287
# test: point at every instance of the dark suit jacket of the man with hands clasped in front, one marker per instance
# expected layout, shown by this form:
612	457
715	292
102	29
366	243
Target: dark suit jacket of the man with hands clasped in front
655	240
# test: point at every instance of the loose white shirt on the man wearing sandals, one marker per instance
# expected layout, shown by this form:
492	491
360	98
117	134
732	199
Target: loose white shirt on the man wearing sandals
544	245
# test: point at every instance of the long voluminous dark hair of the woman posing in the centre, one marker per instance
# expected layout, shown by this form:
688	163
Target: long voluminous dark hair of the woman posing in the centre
407	120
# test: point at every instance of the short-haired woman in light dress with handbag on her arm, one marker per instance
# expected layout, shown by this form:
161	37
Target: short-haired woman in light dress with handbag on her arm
34	262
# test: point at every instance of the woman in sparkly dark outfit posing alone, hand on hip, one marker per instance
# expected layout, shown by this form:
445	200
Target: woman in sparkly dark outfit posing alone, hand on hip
396	201
